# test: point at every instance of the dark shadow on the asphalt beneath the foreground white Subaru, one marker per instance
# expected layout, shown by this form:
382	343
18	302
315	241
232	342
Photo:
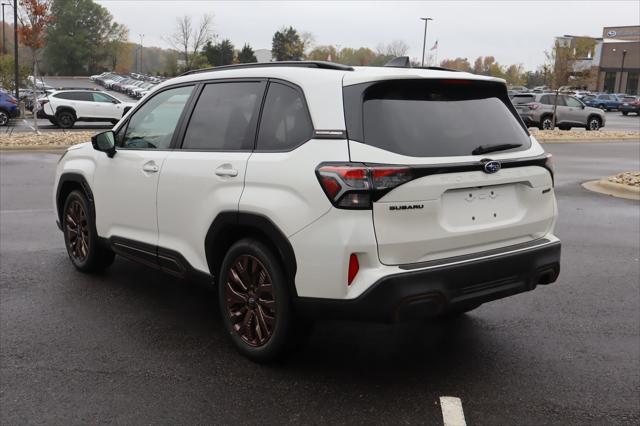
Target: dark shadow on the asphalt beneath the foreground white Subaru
360	349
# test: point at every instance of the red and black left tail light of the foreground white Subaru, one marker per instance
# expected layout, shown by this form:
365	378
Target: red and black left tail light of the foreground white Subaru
353	186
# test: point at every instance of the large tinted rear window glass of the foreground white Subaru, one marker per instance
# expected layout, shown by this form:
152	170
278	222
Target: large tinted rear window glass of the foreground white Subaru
436	118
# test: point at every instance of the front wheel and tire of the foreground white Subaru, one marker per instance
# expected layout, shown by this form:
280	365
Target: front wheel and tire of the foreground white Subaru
80	237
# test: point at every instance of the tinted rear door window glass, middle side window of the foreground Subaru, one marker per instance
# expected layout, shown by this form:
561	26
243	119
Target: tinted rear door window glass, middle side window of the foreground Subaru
225	117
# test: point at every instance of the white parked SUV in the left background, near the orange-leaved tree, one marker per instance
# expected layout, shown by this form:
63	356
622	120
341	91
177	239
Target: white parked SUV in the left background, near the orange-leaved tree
64	107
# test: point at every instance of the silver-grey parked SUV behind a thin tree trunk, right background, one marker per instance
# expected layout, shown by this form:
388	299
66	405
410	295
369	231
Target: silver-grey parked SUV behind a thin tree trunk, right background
536	110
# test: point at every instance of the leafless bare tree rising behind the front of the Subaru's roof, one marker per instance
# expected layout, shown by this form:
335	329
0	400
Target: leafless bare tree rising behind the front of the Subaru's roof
189	38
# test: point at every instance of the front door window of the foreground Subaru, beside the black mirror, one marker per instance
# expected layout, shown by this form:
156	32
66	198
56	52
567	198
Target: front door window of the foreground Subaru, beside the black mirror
152	126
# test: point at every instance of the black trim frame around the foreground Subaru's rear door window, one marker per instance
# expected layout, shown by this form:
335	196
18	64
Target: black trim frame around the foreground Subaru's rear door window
186	118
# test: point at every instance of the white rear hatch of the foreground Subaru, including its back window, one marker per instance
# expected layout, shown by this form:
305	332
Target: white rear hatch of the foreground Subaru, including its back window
431	140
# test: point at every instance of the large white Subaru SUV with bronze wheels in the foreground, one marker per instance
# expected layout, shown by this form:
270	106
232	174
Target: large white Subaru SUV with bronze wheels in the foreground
312	190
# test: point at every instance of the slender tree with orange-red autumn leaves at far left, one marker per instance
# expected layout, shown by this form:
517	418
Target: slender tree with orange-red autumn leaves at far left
35	16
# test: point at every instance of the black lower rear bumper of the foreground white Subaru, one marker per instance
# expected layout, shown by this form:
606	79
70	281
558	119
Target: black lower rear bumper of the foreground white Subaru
435	289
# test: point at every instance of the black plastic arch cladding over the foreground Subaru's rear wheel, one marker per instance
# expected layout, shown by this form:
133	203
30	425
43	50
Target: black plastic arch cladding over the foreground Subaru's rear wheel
229	227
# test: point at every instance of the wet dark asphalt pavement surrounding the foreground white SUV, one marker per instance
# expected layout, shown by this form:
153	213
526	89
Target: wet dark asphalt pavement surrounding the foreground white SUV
134	346
